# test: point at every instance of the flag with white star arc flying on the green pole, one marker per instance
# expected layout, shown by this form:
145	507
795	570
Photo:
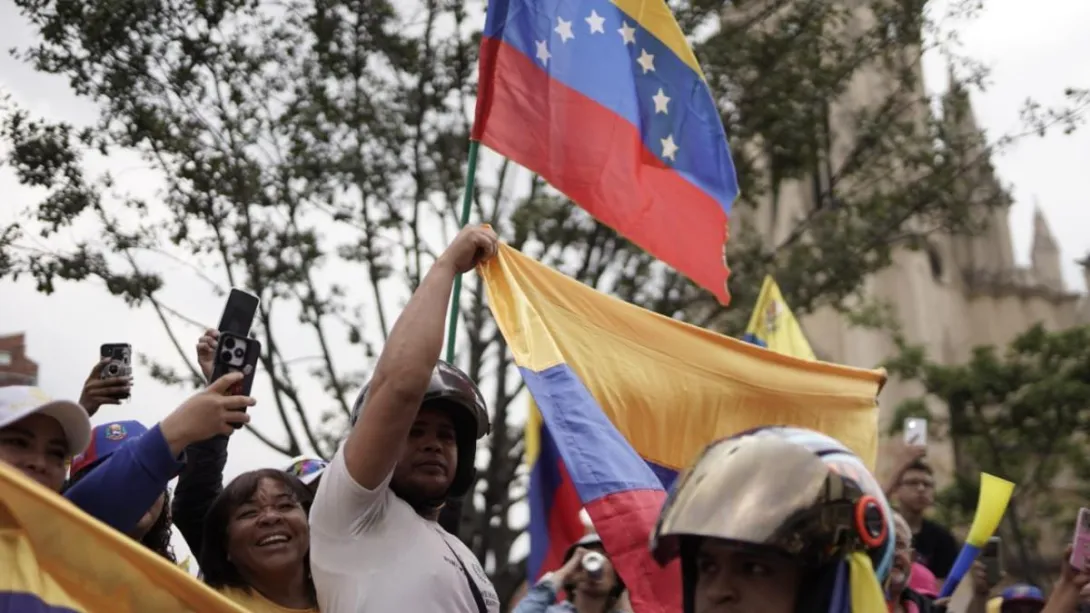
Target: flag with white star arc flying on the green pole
607	102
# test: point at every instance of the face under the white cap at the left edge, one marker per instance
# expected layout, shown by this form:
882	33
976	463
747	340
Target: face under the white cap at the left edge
37	446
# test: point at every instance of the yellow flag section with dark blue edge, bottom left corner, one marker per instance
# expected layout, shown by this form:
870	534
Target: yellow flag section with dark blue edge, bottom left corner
55	559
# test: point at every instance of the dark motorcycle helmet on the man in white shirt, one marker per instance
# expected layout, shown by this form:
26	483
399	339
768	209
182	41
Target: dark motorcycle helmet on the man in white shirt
471	423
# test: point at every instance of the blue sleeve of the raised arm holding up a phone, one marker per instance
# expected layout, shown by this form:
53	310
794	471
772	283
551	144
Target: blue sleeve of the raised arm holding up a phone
122	489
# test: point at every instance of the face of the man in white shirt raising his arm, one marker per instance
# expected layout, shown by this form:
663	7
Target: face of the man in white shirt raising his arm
430	460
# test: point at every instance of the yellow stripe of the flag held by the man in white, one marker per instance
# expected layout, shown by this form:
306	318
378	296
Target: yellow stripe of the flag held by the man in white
671	389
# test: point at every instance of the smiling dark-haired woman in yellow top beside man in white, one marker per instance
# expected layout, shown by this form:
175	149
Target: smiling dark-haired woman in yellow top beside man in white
257	544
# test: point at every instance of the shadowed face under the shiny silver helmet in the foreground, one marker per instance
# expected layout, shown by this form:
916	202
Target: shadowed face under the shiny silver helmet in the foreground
734	581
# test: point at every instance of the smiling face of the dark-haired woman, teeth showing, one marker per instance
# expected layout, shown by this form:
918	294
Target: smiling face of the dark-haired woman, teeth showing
269	534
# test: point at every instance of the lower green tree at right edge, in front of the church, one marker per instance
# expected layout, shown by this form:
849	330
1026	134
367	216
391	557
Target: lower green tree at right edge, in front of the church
1024	415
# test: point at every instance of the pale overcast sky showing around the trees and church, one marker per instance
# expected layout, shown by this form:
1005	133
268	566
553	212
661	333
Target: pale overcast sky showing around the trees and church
1033	53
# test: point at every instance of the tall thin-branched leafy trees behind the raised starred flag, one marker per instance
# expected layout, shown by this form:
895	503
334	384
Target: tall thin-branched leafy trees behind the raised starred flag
313	152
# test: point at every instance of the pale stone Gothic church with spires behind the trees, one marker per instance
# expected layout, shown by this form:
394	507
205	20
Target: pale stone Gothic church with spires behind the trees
960	293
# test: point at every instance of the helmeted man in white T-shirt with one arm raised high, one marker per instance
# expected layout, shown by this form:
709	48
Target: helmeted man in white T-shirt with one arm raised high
377	546
